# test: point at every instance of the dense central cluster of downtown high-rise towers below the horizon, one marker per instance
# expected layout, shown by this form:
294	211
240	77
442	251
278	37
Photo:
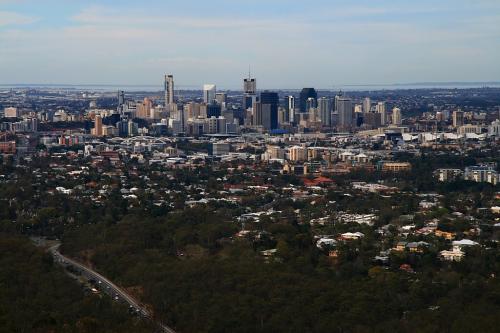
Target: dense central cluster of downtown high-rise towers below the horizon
262	112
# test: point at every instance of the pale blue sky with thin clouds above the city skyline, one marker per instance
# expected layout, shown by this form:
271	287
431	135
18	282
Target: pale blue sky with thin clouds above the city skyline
286	43
